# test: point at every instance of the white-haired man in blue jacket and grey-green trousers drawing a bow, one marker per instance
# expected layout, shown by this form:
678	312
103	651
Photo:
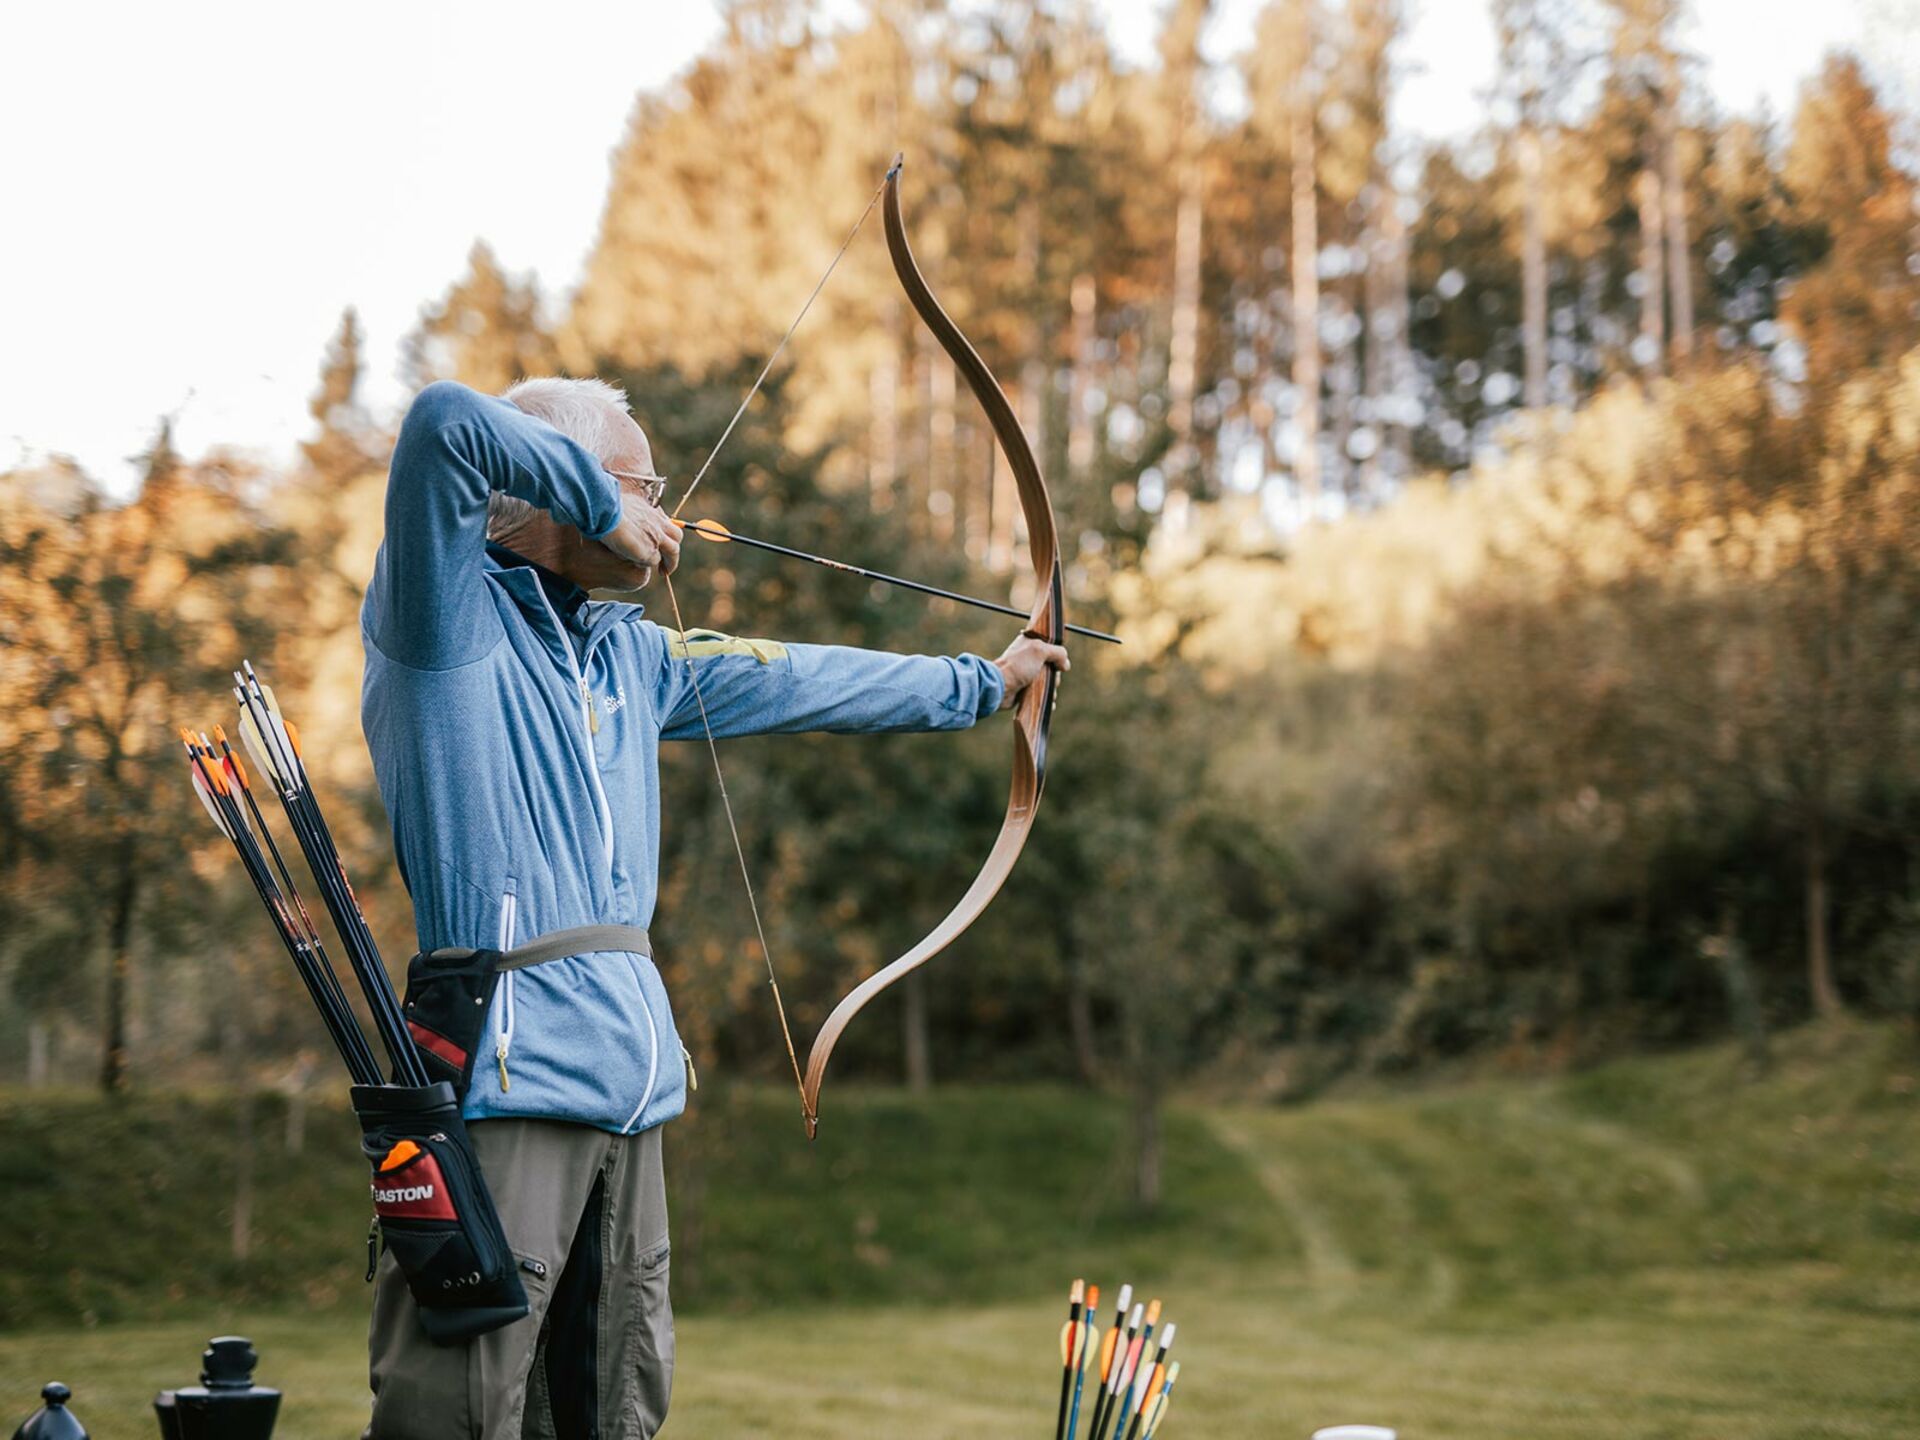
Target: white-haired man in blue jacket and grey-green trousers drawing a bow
516	734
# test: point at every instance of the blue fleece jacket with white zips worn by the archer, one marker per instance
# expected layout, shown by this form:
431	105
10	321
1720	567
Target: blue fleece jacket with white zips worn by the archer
516	732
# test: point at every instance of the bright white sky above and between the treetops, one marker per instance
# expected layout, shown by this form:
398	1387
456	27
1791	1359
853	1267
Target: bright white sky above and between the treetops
195	193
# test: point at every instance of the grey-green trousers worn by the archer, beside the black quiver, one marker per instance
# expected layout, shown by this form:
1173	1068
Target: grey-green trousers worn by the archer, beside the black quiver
594	1360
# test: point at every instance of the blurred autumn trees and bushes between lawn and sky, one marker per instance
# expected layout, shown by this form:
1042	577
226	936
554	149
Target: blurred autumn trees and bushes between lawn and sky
1516	544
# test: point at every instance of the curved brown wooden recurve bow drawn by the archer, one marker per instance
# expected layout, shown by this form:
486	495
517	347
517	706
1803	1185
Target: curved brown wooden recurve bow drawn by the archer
1047	621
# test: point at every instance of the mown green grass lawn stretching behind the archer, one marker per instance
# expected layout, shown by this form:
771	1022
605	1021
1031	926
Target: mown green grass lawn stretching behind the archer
1654	1249
